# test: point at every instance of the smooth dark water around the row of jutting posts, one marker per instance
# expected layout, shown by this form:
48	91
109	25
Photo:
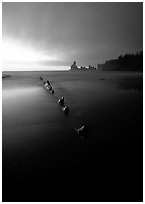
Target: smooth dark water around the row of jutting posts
43	158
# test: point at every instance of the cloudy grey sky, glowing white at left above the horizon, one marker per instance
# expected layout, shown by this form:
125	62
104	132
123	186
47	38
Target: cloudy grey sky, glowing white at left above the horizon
51	35
